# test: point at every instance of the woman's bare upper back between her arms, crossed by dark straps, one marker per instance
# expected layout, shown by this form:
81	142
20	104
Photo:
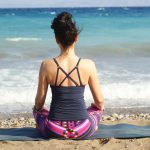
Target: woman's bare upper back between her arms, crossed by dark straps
78	70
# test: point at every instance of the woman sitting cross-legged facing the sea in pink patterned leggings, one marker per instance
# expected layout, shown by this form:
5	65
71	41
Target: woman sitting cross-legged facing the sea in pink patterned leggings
67	75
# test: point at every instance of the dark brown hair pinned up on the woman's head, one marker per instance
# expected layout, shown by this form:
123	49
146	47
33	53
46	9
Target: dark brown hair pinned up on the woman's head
65	29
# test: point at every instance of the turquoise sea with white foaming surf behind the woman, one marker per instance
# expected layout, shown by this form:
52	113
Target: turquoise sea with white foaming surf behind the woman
117	39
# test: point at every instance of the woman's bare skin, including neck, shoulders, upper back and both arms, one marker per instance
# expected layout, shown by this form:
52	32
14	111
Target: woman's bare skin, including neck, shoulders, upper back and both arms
67	60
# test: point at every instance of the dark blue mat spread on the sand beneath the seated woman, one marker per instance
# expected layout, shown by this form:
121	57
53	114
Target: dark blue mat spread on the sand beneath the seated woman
105	131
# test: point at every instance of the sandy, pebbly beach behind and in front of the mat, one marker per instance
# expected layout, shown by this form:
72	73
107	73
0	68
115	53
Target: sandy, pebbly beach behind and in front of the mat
97	144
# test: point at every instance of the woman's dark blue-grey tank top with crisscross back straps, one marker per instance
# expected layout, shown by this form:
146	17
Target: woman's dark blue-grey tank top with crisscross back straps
68	101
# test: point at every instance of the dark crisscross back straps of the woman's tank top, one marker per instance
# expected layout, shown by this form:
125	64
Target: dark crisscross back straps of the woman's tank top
67	74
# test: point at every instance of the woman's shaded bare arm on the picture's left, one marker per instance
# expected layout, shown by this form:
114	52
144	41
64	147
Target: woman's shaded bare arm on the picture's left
42	88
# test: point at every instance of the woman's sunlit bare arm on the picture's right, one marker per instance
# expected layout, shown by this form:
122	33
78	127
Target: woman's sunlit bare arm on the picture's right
95	87
